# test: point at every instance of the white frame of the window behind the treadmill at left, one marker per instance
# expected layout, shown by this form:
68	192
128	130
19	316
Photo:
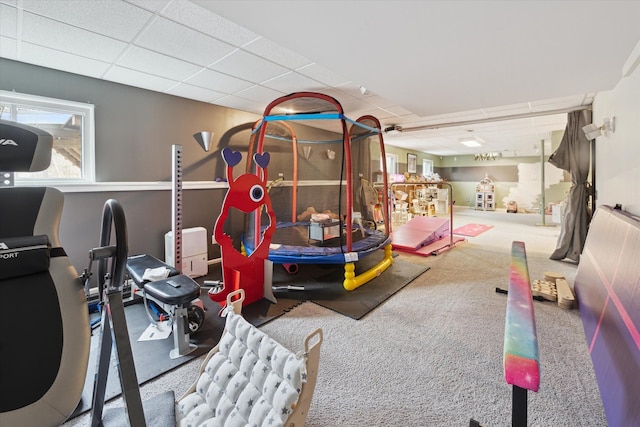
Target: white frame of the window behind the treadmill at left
88	134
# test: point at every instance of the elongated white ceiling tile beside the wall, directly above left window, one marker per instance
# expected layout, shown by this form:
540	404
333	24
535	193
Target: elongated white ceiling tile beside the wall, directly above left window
64	61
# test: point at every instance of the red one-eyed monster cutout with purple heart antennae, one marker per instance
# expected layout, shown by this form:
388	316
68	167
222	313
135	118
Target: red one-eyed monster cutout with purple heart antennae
247	193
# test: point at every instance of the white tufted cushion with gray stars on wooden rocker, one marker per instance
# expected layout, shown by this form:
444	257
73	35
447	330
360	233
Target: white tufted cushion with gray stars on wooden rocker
251	381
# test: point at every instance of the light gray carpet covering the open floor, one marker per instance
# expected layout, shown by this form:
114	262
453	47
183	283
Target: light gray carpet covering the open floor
431	355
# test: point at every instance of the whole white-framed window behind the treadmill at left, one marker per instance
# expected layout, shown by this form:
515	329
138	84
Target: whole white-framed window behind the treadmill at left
72	126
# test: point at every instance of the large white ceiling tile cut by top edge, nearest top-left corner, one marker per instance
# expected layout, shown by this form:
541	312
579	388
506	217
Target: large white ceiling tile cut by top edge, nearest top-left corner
116	19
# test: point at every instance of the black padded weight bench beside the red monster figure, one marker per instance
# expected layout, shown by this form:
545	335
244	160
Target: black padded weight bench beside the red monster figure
175	294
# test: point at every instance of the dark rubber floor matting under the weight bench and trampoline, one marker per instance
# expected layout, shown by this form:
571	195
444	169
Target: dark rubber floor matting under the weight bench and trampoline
322	285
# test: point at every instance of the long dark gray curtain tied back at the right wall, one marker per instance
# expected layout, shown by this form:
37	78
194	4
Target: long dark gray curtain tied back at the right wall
573	155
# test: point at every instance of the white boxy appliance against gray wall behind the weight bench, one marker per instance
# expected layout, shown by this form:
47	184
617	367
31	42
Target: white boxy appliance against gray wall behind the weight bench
194	251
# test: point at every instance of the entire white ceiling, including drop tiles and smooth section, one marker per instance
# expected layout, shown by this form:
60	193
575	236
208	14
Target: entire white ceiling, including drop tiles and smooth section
505	72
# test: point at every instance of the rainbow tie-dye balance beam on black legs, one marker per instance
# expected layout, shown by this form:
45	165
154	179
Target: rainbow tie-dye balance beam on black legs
521	359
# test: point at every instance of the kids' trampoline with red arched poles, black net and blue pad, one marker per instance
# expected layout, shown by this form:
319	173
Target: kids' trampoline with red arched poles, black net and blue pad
306	198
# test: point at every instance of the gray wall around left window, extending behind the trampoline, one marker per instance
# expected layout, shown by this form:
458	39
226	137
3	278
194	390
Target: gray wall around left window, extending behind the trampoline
134	132
